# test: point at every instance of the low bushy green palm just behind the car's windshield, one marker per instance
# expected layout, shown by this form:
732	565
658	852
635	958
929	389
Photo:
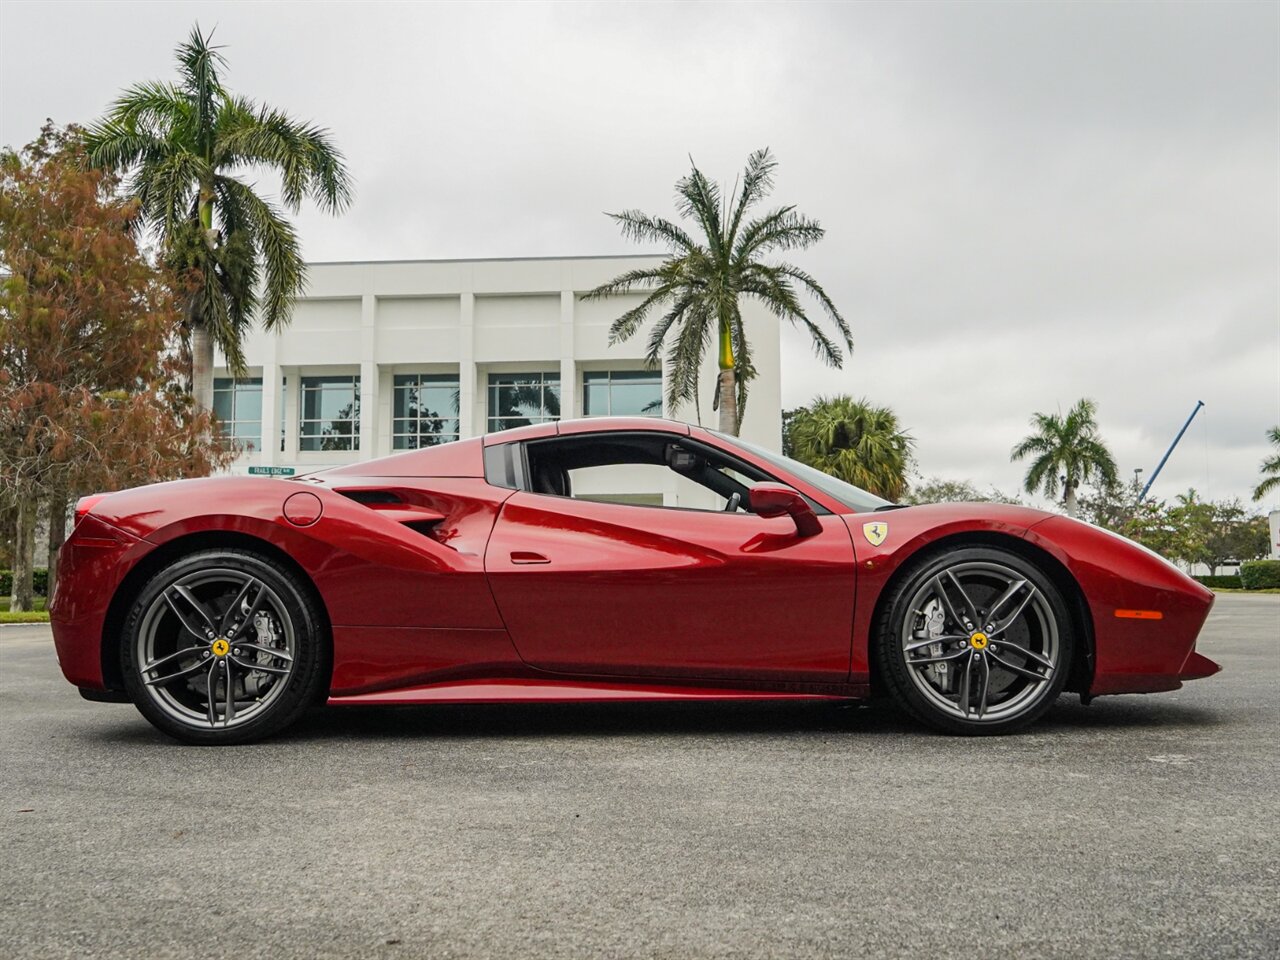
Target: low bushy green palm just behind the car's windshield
854	441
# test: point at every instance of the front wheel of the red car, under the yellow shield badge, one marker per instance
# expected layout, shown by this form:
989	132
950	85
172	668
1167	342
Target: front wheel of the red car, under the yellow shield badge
971	680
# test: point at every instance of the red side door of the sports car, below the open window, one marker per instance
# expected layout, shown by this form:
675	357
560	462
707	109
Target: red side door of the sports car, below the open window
621	589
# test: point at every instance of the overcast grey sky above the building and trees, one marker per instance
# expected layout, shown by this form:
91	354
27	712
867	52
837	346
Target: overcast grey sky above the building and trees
1026	204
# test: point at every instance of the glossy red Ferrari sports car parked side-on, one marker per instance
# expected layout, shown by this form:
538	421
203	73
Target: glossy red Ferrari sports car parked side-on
488	572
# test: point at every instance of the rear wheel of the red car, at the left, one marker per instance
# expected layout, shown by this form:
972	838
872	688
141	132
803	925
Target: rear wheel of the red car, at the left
241	625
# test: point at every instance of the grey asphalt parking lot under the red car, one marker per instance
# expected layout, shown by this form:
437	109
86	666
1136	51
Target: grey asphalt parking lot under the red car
1141	826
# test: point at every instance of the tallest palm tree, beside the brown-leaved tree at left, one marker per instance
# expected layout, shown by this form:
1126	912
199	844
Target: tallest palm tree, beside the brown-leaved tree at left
188	147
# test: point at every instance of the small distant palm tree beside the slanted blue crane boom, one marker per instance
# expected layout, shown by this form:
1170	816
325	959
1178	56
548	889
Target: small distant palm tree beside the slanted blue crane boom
1067	451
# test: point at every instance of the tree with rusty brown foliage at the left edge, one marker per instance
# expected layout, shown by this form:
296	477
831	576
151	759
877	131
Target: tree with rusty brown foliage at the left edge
90	397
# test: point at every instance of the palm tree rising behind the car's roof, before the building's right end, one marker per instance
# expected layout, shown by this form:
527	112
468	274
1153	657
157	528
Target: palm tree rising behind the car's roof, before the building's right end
703	281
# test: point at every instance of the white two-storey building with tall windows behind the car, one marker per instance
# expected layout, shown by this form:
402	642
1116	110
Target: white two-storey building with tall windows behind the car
392	355
